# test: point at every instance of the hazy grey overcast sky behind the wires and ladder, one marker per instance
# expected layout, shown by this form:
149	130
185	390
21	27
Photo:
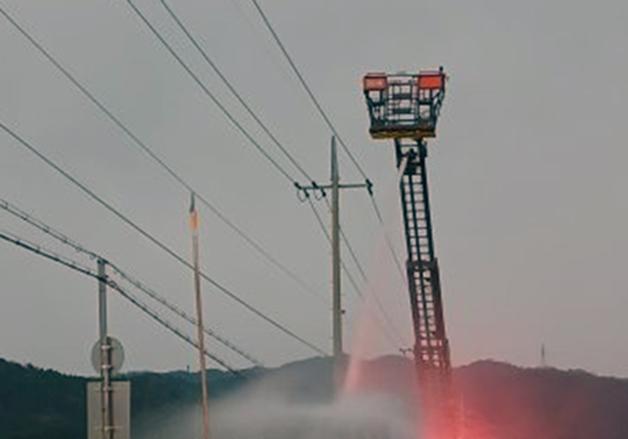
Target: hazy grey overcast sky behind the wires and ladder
526	176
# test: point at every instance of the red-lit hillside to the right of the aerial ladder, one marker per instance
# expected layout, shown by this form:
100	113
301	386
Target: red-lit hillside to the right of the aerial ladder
518	403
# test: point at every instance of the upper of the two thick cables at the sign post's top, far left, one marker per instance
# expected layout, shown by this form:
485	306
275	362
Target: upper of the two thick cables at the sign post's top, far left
64	239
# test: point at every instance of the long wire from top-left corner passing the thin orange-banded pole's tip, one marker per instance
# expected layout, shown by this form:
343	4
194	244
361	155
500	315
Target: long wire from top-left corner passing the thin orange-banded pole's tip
147	150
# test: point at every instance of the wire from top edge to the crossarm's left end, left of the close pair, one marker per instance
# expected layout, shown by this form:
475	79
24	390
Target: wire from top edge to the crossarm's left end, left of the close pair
211	96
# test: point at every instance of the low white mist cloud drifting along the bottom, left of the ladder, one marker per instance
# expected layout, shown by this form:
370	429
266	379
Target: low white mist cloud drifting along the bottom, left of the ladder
270	409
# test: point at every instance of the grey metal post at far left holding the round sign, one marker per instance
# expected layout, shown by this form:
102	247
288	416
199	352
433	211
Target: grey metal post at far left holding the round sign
105	355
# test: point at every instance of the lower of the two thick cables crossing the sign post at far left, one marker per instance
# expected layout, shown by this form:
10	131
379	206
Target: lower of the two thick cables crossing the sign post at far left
75	266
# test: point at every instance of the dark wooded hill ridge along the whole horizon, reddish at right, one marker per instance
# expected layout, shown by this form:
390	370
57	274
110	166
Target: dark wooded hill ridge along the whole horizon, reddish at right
499	400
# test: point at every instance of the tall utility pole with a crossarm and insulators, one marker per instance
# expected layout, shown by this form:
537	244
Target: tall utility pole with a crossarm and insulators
335	187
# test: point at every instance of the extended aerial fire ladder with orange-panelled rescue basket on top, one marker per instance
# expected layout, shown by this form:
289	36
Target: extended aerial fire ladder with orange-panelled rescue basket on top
405	108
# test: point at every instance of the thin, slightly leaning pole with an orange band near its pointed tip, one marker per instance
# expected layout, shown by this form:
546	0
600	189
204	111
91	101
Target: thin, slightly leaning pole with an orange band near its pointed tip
199	318
